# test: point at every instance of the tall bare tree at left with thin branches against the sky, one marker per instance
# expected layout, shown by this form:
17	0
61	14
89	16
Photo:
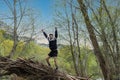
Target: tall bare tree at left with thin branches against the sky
19	13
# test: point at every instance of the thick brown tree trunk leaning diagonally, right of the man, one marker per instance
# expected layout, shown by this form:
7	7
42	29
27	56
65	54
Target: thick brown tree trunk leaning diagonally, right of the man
97	51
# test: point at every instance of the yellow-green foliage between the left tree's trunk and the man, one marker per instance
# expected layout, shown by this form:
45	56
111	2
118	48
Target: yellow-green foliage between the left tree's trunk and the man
31	50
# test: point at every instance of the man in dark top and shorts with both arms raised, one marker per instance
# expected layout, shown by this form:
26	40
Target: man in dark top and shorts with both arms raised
53	47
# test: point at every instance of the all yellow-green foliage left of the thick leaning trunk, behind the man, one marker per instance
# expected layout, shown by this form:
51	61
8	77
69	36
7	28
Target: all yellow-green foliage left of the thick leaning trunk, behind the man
39	53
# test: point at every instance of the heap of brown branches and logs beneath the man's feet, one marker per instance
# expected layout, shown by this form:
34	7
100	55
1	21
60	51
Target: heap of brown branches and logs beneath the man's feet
32	70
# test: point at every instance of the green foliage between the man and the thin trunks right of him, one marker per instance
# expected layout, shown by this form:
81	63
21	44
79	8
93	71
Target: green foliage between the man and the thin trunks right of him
65	59
